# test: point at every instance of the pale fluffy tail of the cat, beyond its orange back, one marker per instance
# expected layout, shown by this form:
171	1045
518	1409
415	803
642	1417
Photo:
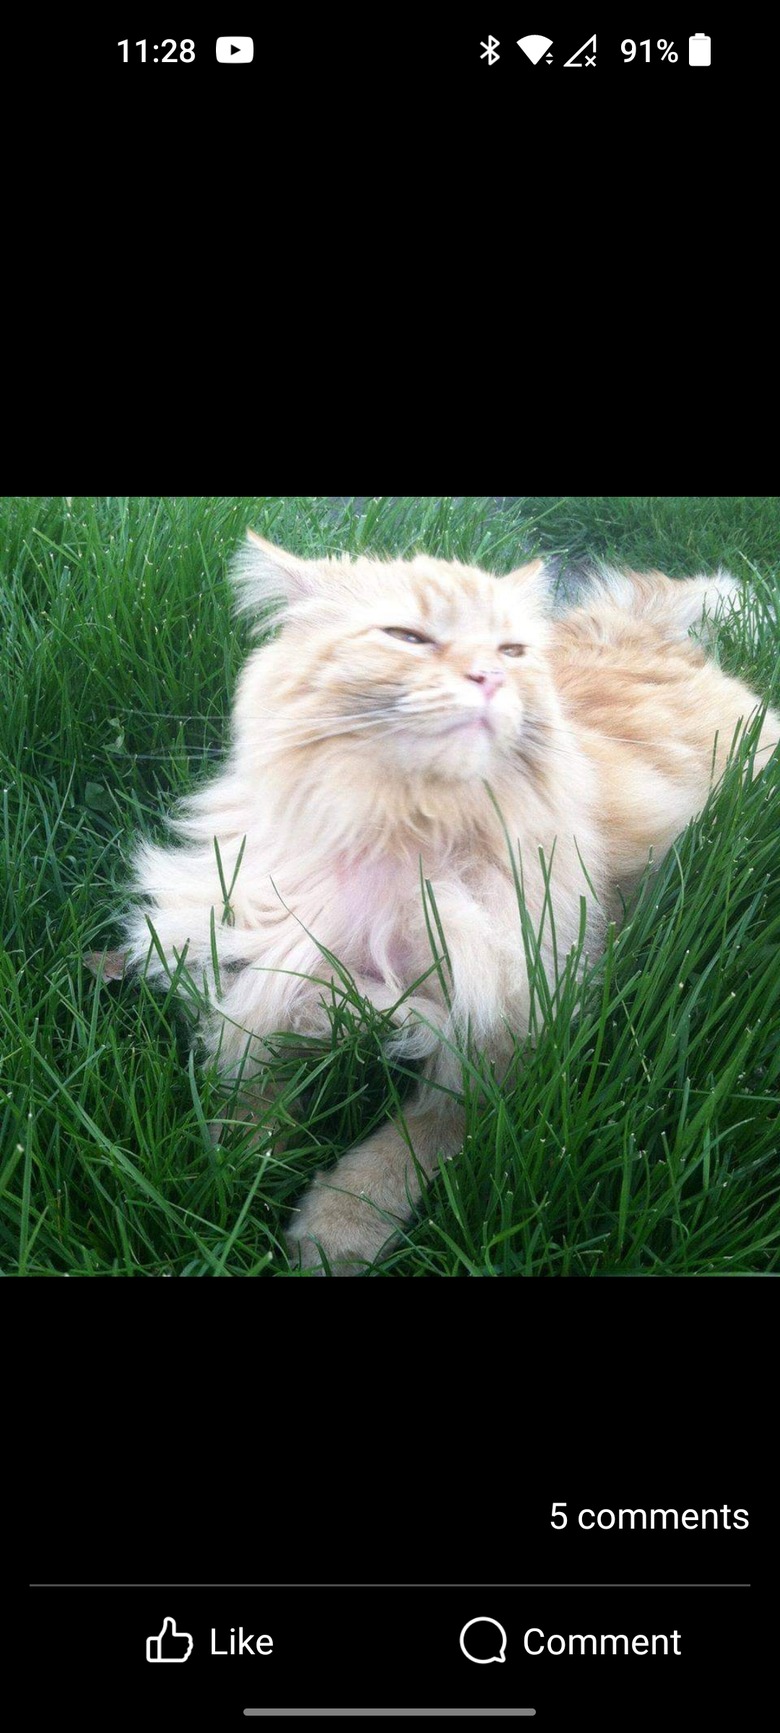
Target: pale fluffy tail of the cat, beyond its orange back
672	606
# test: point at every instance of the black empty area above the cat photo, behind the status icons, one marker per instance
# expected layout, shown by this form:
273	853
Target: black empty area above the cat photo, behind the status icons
198	249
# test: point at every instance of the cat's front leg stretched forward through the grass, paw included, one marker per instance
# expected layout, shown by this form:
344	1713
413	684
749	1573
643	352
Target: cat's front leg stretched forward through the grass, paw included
353	1214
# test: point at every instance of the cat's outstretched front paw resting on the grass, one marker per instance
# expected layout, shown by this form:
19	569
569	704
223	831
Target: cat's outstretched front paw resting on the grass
339	1230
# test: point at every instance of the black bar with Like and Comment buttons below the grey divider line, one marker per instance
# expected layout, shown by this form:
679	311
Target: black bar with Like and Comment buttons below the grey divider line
382	1647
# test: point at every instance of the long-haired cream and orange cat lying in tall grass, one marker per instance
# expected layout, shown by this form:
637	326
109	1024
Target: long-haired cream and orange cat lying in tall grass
400	710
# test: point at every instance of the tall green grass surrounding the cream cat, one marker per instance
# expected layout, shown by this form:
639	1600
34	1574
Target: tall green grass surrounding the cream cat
640	1136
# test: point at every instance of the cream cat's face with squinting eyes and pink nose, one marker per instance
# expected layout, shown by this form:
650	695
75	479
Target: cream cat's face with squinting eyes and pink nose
431	666
